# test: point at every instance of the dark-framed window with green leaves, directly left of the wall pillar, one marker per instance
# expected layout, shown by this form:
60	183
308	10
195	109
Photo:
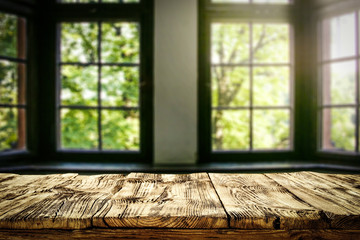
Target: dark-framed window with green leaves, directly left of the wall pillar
100	108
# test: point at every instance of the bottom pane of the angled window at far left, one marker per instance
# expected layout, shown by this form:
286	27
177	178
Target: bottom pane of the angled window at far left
12	129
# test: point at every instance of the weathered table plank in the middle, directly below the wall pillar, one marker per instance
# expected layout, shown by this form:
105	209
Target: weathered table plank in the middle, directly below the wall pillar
164	201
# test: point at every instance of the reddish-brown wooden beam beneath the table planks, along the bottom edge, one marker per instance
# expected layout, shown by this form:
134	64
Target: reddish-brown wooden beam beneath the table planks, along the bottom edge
181	234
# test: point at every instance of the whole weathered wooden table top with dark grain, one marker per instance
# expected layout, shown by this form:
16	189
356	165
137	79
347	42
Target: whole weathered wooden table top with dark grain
278	201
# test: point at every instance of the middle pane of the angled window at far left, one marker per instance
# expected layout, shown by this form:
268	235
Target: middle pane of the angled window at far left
12	83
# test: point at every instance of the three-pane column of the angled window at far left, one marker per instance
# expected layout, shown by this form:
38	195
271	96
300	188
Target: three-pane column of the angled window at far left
13	63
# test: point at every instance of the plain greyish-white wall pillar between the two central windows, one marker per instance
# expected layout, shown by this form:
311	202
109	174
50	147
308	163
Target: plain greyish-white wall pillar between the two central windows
175	81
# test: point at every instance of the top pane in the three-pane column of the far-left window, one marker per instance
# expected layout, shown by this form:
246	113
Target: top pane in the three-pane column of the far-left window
12	36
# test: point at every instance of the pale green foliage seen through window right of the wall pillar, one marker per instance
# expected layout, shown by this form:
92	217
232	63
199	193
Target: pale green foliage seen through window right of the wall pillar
231	85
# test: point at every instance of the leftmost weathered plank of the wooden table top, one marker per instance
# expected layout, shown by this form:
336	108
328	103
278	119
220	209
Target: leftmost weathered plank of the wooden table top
64	201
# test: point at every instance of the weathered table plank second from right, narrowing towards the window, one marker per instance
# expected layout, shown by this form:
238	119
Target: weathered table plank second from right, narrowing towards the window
254	201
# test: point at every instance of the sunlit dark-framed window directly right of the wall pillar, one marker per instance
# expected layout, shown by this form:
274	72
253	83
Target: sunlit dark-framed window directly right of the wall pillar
246	91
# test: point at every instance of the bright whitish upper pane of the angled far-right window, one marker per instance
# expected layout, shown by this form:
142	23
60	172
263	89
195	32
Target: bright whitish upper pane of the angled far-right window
339	37
